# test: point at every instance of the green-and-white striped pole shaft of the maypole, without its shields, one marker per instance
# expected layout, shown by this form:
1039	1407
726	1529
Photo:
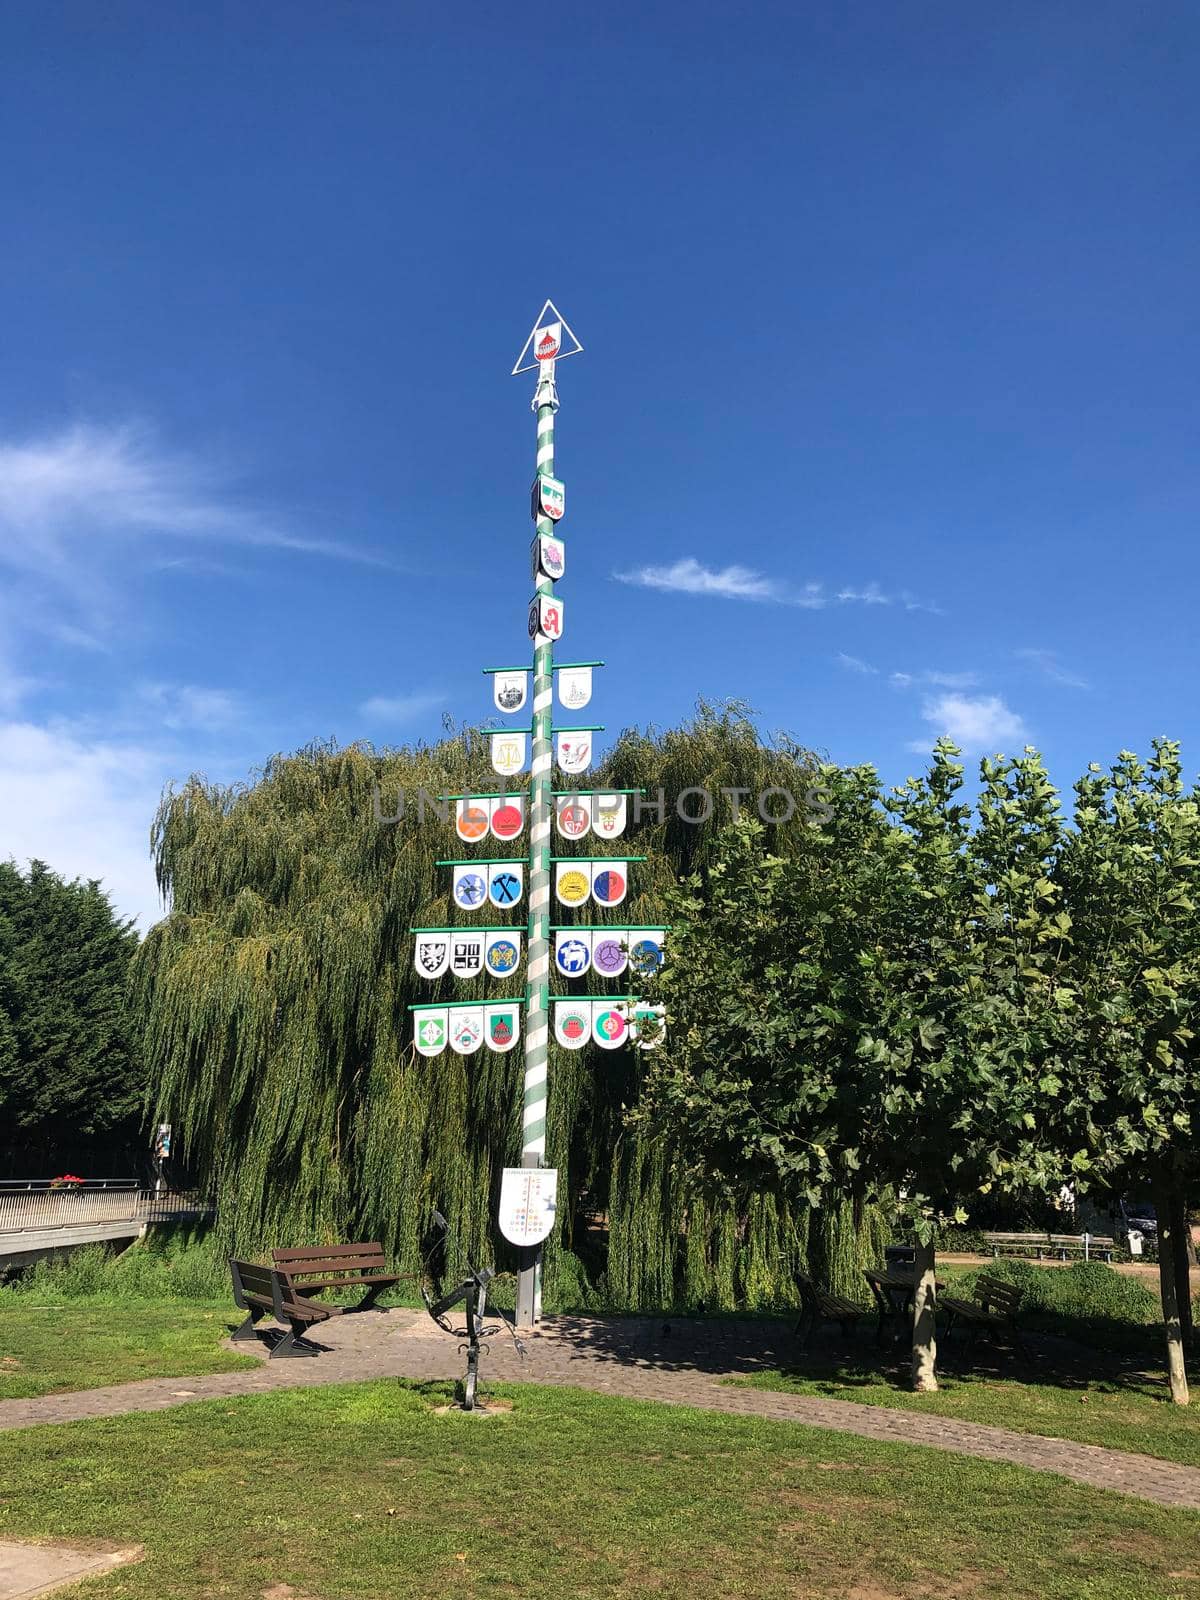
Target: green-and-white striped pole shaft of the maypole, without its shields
542	809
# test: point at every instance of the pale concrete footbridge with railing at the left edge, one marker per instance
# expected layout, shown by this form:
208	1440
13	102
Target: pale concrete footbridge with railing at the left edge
38	1220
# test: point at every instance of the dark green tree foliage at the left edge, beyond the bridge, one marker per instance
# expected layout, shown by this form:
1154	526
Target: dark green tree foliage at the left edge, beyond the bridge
70	1065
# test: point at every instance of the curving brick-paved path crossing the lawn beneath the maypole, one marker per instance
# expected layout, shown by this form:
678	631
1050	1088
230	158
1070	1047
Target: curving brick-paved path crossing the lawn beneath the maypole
634	1358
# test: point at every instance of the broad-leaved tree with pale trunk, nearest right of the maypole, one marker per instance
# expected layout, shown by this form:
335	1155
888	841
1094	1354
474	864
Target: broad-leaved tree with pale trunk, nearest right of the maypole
881	1012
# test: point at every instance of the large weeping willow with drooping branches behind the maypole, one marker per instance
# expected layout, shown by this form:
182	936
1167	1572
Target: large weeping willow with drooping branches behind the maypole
274	1010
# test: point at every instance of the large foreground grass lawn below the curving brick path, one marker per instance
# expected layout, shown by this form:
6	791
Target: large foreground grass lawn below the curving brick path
364	1492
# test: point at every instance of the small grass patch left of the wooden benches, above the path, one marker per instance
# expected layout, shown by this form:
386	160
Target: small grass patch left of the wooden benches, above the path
58	1348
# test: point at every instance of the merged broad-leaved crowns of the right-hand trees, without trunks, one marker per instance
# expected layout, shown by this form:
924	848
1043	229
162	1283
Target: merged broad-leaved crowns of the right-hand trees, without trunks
962	1004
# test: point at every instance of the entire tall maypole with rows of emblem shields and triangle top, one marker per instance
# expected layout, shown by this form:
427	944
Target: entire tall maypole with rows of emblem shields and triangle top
463	953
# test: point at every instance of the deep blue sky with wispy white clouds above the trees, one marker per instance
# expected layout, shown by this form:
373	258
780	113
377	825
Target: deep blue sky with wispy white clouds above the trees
887	418
